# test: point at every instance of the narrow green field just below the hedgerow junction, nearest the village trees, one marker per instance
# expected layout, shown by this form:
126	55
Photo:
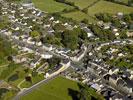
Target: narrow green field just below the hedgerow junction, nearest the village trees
78	16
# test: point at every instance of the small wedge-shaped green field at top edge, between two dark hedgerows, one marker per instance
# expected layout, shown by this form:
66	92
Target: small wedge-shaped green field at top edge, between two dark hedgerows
82	3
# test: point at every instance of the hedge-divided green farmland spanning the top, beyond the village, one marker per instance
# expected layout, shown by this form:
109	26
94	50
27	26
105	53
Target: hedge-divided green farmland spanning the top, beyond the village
93	6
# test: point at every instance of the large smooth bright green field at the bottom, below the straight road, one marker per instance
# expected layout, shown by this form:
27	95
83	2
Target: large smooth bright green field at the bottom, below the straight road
57	89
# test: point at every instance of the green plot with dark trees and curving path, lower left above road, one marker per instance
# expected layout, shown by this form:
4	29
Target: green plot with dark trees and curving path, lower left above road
18	75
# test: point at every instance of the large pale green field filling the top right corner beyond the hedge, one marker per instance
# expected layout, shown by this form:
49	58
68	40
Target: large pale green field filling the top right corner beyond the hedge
108	7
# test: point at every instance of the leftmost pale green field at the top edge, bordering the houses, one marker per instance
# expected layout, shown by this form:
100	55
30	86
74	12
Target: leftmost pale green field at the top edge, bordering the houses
50	5
